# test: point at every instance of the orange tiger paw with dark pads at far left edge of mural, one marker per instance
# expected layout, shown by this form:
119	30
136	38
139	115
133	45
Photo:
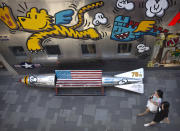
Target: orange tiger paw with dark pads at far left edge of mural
7	17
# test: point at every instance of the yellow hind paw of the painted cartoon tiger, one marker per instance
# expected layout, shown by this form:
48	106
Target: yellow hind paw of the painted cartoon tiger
93	34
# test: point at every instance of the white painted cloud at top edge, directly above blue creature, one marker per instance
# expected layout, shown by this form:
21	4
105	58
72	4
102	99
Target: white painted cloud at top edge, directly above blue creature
124	4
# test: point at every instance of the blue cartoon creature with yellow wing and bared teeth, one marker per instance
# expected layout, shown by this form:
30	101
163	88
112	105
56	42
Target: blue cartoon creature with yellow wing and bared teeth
125	29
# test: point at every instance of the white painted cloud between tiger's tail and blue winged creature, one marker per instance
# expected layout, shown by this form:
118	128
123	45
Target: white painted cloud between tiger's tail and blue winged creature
99	19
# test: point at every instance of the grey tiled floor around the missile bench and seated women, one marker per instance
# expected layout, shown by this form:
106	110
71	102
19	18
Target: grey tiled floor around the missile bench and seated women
37	109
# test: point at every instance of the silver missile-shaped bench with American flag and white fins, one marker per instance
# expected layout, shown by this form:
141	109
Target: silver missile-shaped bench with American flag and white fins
132	80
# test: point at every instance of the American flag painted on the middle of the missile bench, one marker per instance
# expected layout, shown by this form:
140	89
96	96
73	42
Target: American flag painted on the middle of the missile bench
78	78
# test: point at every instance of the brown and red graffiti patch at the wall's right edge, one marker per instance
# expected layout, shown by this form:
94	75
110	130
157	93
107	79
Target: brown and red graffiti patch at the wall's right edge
167	53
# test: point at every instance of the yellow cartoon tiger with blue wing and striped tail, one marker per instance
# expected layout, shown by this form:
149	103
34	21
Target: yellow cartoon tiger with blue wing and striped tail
41	24
